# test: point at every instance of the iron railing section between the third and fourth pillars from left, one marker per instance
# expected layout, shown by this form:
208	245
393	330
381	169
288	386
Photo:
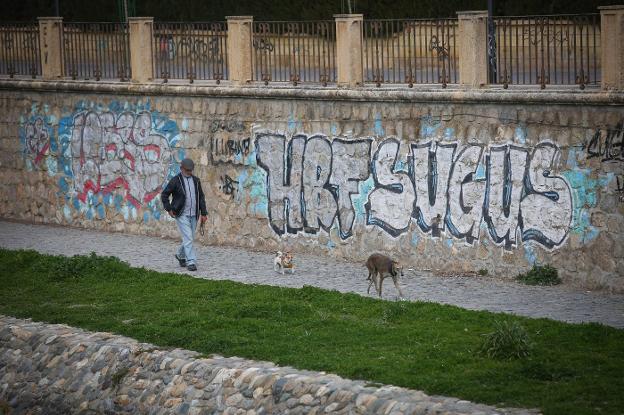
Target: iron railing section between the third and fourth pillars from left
294	51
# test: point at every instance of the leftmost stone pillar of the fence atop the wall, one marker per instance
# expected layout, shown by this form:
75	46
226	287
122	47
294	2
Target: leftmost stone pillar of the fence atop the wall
51	47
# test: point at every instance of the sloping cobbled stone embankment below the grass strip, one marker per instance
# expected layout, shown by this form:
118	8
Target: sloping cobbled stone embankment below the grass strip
56	369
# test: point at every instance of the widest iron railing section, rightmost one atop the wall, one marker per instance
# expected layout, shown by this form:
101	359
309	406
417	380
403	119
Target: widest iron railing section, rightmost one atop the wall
542	50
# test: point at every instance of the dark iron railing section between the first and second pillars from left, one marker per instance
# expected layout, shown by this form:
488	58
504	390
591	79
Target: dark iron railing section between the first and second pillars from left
96	50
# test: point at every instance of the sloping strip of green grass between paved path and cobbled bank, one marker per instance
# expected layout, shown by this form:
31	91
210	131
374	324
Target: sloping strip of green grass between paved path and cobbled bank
571	369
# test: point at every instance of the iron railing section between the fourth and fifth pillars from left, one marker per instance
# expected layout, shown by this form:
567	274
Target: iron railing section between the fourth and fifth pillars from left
418	51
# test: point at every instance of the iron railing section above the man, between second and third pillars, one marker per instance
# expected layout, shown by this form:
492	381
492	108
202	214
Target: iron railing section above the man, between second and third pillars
190	51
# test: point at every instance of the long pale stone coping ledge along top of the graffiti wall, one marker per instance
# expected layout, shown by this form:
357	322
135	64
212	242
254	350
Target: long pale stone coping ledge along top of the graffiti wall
424	94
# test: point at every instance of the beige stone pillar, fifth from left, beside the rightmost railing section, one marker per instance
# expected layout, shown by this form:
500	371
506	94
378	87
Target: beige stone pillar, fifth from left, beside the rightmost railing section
472	46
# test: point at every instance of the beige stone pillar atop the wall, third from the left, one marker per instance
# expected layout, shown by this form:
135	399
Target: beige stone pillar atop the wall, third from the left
240	29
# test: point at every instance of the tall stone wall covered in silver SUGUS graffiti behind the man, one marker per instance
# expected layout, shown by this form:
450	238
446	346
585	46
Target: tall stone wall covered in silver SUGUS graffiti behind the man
453	181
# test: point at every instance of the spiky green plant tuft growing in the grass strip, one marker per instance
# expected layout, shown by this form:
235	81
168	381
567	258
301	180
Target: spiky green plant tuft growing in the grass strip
509	340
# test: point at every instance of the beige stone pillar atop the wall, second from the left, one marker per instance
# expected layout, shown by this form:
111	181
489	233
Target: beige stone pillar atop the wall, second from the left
141	48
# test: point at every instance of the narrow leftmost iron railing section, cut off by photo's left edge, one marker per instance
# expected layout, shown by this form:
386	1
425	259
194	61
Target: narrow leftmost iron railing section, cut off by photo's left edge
19	49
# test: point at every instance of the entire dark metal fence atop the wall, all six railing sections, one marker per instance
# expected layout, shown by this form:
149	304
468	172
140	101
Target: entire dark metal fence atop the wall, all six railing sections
524	50
